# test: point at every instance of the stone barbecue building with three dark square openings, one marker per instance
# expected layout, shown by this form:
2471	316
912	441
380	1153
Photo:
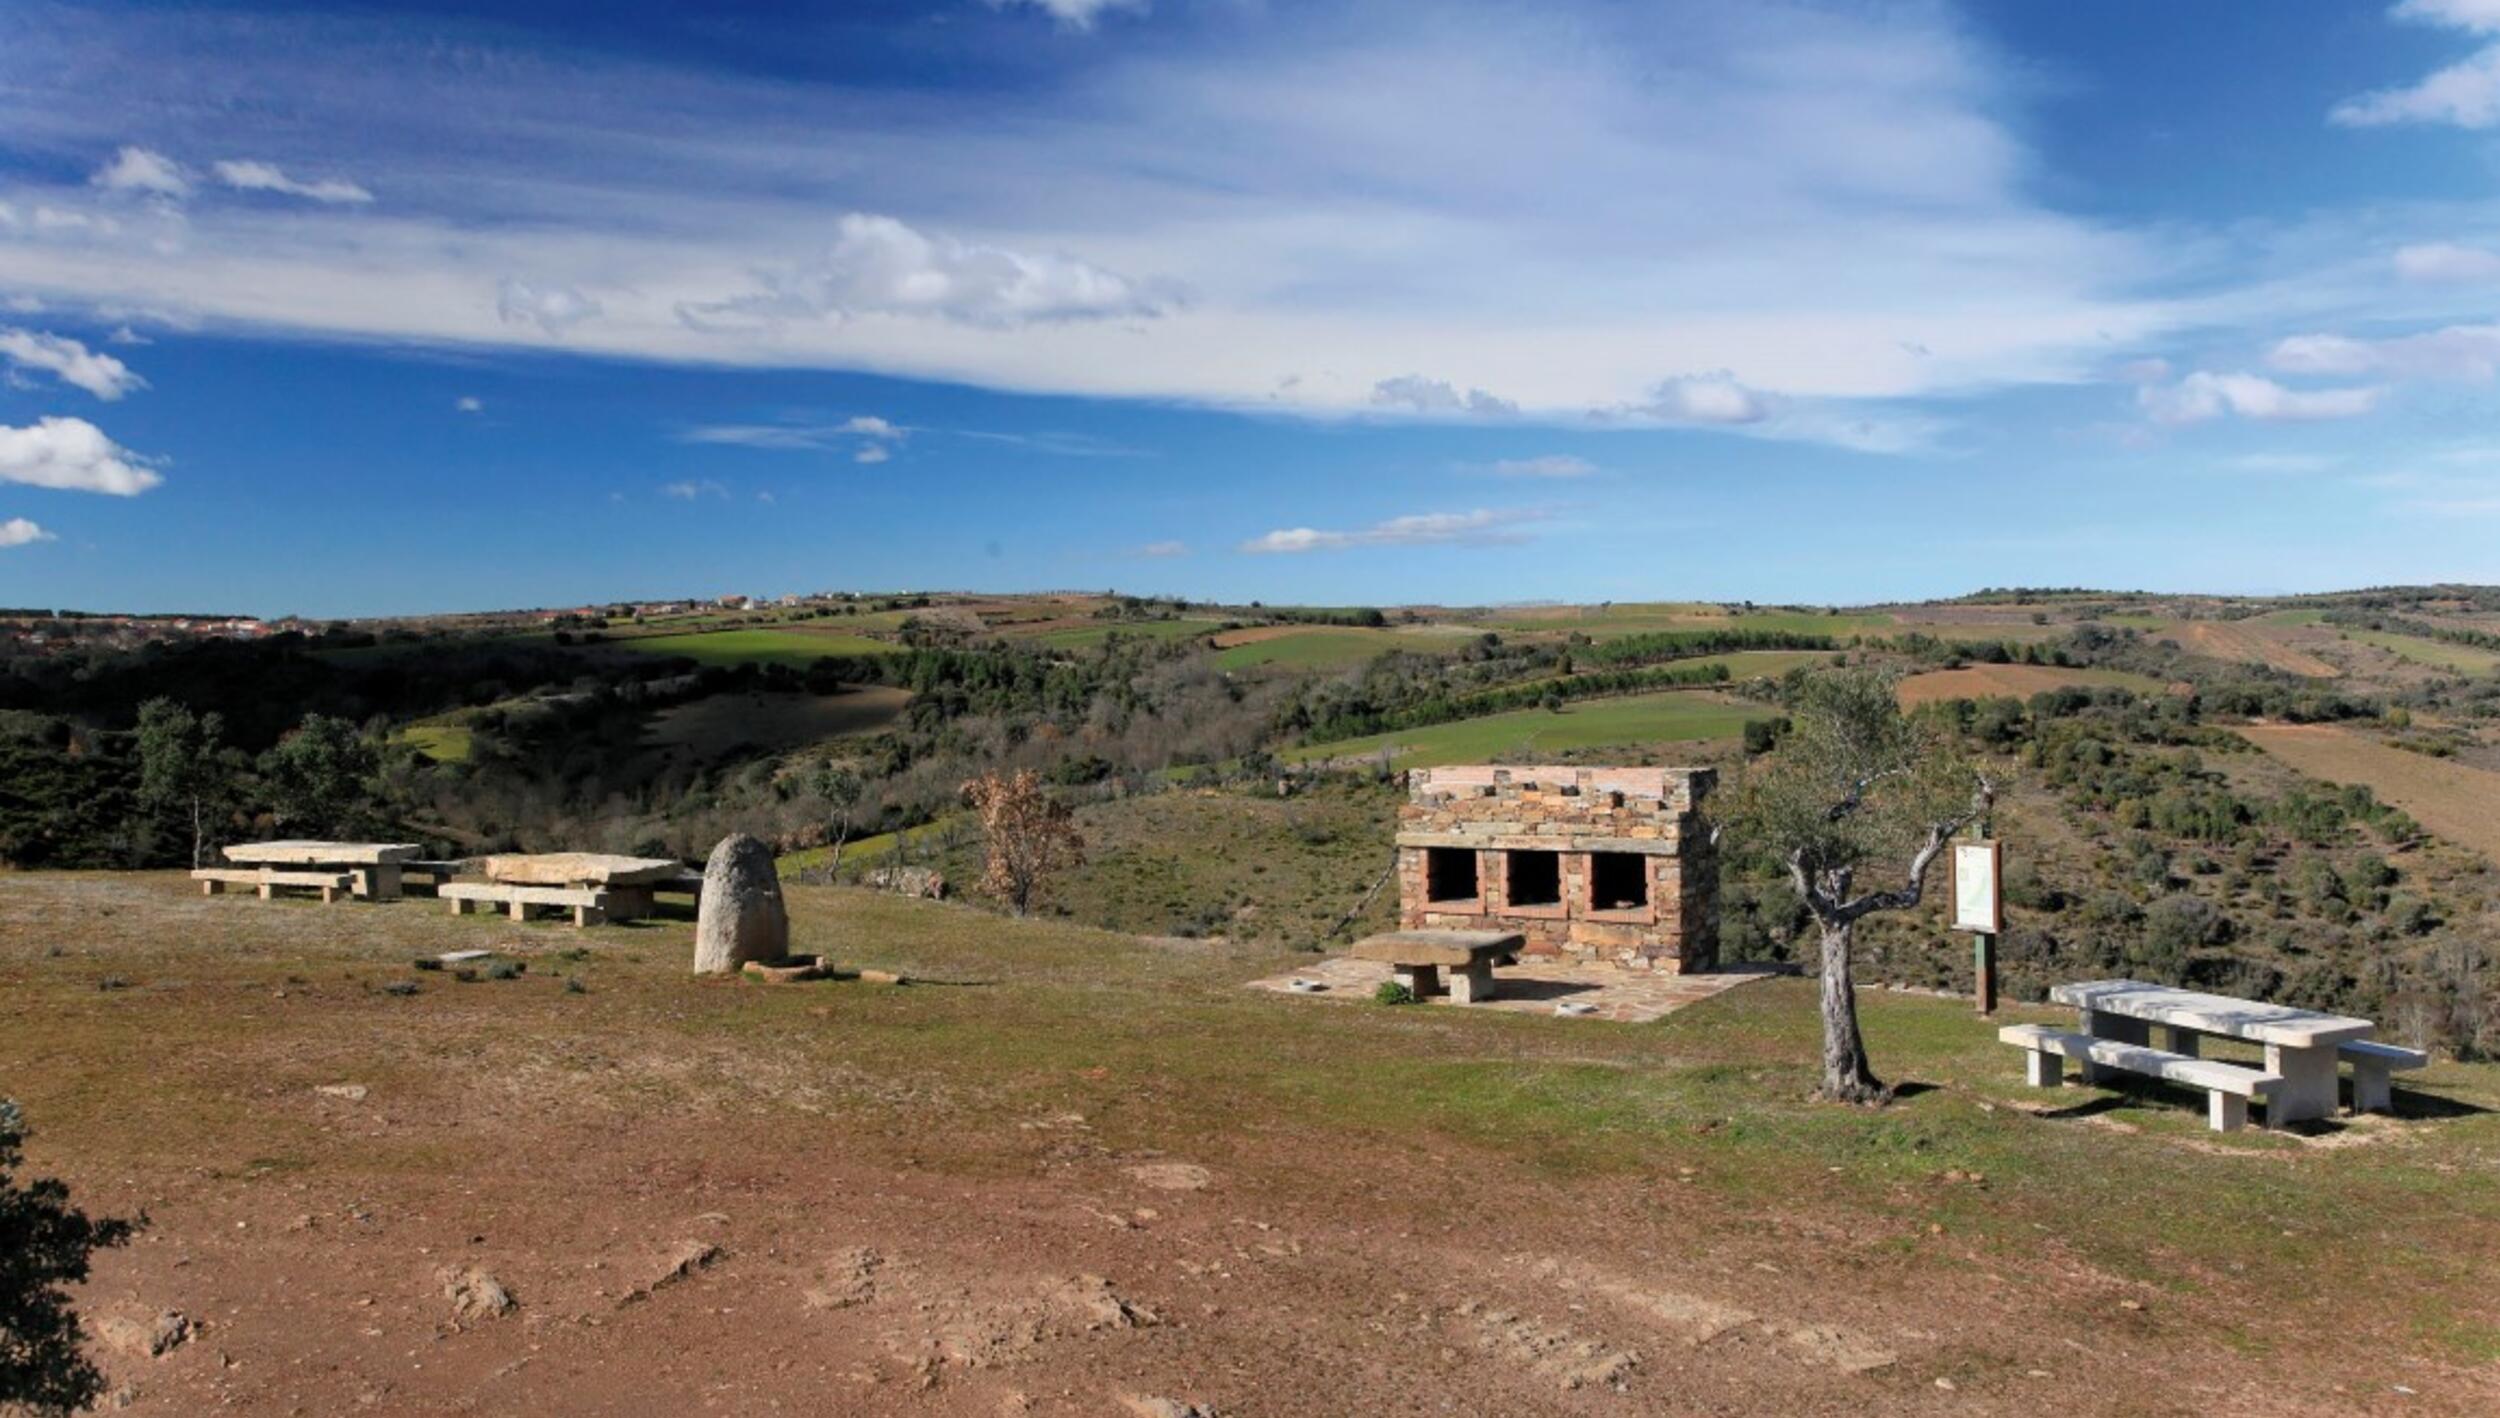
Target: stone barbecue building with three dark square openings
1604	864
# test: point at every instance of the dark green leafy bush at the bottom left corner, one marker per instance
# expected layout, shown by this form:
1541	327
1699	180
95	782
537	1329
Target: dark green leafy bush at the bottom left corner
44	1247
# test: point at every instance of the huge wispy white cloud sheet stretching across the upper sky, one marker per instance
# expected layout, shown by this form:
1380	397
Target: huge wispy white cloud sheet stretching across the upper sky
1339	194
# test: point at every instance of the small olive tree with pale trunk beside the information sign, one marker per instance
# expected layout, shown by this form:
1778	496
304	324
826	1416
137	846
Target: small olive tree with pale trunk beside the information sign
1856	784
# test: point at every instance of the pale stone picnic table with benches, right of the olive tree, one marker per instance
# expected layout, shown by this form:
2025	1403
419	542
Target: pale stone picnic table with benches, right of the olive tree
2301	1047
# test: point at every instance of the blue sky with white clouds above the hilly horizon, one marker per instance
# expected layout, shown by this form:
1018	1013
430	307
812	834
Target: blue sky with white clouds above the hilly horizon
334	309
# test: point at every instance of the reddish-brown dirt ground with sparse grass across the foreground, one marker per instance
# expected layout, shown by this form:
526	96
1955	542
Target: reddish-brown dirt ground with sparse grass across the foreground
1021	1197
